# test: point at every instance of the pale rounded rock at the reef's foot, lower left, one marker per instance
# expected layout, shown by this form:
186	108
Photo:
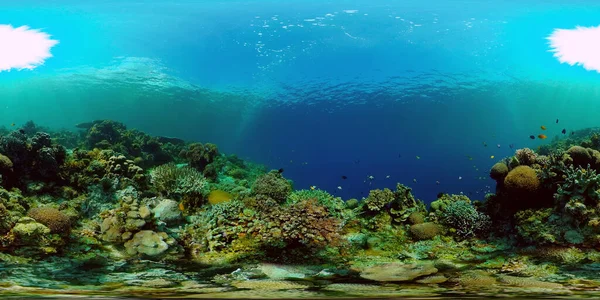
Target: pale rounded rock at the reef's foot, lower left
147	242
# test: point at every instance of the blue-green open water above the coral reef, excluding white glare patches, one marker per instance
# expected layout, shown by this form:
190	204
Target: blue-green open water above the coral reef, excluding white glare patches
323	89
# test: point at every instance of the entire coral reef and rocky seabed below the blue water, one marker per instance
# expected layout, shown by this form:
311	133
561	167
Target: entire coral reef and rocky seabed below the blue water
113	212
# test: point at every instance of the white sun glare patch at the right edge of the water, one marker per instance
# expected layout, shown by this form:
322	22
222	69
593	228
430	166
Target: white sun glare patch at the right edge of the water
579	46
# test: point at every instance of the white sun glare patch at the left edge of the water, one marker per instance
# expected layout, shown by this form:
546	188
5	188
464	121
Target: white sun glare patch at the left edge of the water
23	48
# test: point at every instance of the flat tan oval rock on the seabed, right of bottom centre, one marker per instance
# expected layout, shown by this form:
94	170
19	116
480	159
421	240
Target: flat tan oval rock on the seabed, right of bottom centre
394	272
